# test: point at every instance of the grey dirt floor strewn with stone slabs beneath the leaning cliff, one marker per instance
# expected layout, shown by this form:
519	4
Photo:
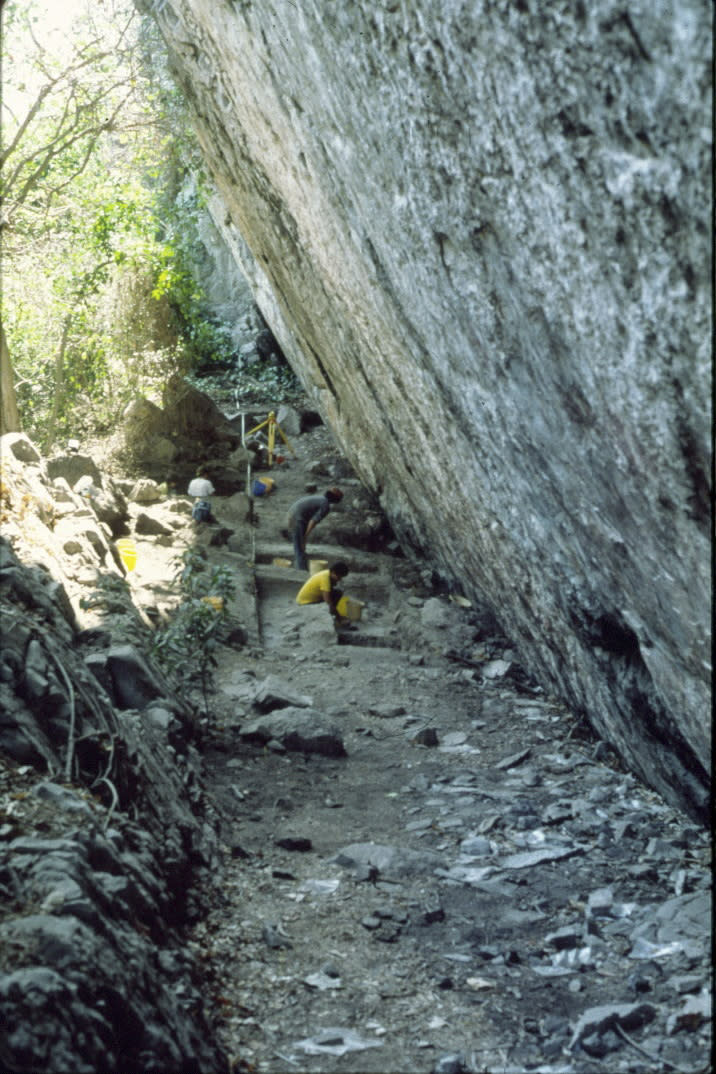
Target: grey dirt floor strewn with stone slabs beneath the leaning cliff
396	909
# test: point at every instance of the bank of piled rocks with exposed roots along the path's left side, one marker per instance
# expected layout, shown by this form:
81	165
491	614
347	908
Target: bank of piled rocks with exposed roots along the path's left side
104	825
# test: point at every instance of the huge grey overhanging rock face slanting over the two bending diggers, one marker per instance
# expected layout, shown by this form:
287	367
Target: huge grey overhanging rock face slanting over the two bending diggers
480	235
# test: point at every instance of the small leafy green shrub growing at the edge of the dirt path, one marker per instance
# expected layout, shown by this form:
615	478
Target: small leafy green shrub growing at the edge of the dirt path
186	647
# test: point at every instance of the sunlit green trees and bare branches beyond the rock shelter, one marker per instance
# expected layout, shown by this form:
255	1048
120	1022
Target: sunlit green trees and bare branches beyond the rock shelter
103	193
